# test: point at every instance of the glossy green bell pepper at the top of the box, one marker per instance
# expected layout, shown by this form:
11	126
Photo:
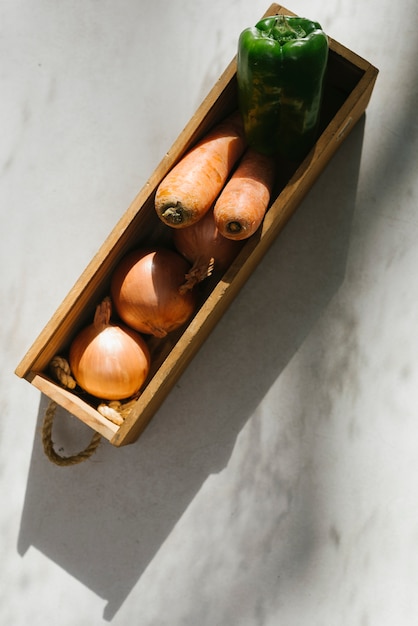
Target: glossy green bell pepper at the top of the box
281	65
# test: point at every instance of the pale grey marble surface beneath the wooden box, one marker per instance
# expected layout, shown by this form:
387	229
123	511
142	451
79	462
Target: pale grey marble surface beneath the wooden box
278	483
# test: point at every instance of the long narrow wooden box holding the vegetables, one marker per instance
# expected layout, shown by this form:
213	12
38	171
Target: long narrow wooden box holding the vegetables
349	84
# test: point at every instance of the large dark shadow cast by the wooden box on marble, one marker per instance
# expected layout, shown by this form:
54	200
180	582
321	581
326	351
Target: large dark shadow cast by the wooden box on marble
103	521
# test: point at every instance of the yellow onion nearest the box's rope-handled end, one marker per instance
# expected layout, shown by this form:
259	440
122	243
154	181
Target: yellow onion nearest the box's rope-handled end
109	361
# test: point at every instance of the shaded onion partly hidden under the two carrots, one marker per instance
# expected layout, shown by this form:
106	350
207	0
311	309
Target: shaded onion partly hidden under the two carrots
205	248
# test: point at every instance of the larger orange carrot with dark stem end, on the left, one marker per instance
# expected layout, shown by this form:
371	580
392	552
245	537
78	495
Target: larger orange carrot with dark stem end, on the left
191	187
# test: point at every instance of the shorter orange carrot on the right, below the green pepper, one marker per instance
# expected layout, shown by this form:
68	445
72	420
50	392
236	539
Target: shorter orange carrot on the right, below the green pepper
241	206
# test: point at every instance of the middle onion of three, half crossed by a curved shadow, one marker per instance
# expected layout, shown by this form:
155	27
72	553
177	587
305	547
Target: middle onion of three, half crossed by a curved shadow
145	291
